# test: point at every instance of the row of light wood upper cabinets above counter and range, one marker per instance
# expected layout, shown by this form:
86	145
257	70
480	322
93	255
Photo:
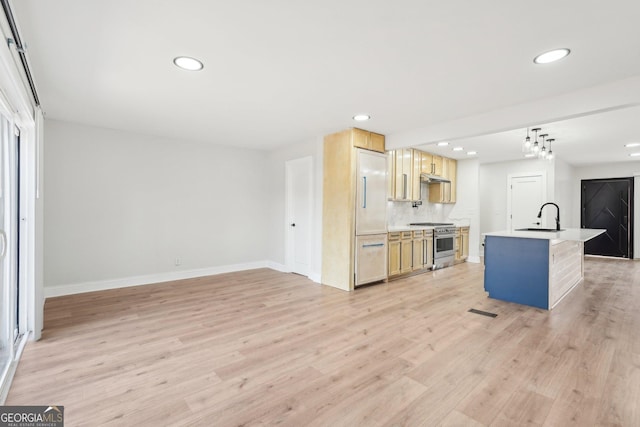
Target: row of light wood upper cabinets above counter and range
405	167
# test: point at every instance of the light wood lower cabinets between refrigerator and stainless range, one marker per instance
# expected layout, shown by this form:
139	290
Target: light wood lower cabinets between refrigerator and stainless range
410	251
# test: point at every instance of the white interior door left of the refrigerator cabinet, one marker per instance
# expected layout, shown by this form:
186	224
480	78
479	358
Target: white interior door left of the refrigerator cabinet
299	197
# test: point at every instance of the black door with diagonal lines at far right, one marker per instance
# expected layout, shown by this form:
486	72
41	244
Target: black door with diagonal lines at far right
608	204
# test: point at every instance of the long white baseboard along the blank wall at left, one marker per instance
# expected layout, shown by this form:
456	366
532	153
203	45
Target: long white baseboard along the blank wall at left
103	285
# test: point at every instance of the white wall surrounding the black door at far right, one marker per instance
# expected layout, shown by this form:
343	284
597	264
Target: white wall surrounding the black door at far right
609	170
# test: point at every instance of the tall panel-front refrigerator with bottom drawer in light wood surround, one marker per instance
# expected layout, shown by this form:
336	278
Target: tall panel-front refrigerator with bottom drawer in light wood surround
371	217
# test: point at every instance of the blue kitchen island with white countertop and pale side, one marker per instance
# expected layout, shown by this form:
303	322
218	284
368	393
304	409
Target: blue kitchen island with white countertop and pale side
535	268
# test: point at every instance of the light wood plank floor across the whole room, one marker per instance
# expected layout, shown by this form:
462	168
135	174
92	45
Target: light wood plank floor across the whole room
266	348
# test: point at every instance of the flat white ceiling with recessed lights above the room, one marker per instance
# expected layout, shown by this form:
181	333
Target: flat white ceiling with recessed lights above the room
285	71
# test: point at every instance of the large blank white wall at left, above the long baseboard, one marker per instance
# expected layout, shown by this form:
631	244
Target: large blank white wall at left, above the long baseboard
121	207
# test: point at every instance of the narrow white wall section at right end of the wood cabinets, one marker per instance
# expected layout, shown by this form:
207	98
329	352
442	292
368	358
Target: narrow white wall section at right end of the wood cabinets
467	207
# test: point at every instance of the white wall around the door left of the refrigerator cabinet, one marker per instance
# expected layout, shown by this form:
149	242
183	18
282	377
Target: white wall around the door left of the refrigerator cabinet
277	215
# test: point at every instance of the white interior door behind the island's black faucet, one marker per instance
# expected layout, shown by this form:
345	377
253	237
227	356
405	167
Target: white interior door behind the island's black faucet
526	194
